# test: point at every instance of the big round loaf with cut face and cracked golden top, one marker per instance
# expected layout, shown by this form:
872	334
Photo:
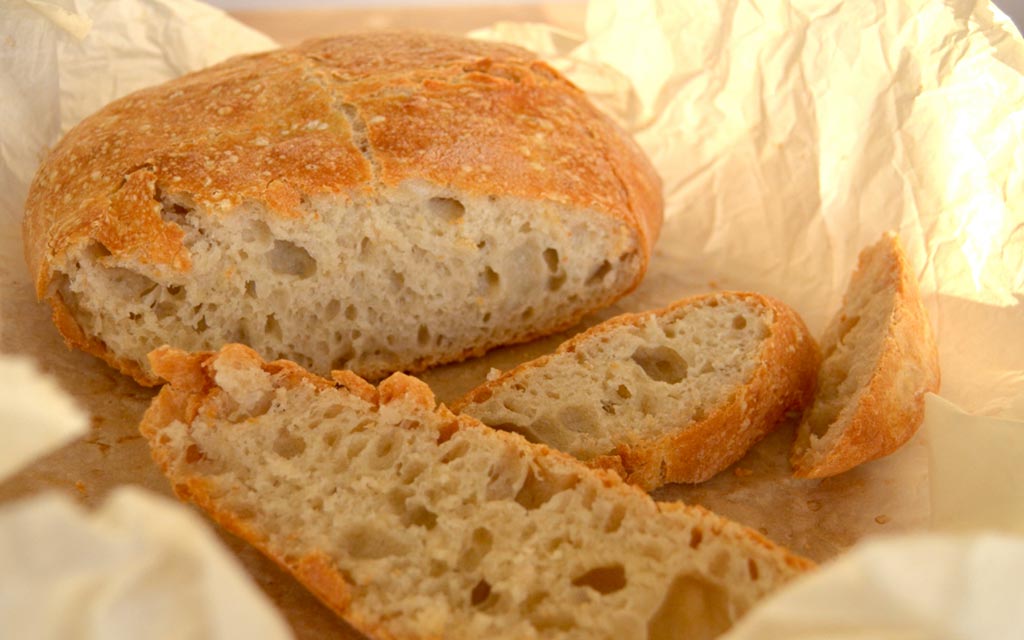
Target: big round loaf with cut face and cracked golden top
371	202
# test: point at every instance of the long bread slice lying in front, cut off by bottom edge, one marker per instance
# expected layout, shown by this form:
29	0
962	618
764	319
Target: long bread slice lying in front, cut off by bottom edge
412	523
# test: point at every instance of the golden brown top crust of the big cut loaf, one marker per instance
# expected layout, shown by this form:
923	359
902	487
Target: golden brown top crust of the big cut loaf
280	127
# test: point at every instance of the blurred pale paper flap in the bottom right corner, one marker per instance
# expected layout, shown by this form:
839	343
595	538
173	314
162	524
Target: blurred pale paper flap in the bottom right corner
920	587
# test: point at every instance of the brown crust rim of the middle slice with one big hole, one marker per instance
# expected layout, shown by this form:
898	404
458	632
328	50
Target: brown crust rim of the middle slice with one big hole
696	452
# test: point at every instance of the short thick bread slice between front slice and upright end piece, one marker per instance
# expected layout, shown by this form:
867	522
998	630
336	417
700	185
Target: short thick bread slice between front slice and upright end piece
673	396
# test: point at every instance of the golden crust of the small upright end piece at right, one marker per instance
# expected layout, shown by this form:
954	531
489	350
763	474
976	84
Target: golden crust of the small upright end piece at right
892	408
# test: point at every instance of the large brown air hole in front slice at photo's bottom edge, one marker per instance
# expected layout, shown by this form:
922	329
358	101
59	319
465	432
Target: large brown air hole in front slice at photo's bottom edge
694	610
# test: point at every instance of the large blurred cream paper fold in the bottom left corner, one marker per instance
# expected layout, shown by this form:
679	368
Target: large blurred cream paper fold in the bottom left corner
140	567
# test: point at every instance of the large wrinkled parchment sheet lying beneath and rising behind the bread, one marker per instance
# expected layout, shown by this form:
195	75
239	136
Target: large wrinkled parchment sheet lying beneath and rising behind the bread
790	135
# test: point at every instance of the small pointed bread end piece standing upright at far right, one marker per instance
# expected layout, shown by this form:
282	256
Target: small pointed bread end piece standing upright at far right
880	360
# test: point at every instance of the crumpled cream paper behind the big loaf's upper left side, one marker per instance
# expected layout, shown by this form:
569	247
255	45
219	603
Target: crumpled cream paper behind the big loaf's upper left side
63	60
